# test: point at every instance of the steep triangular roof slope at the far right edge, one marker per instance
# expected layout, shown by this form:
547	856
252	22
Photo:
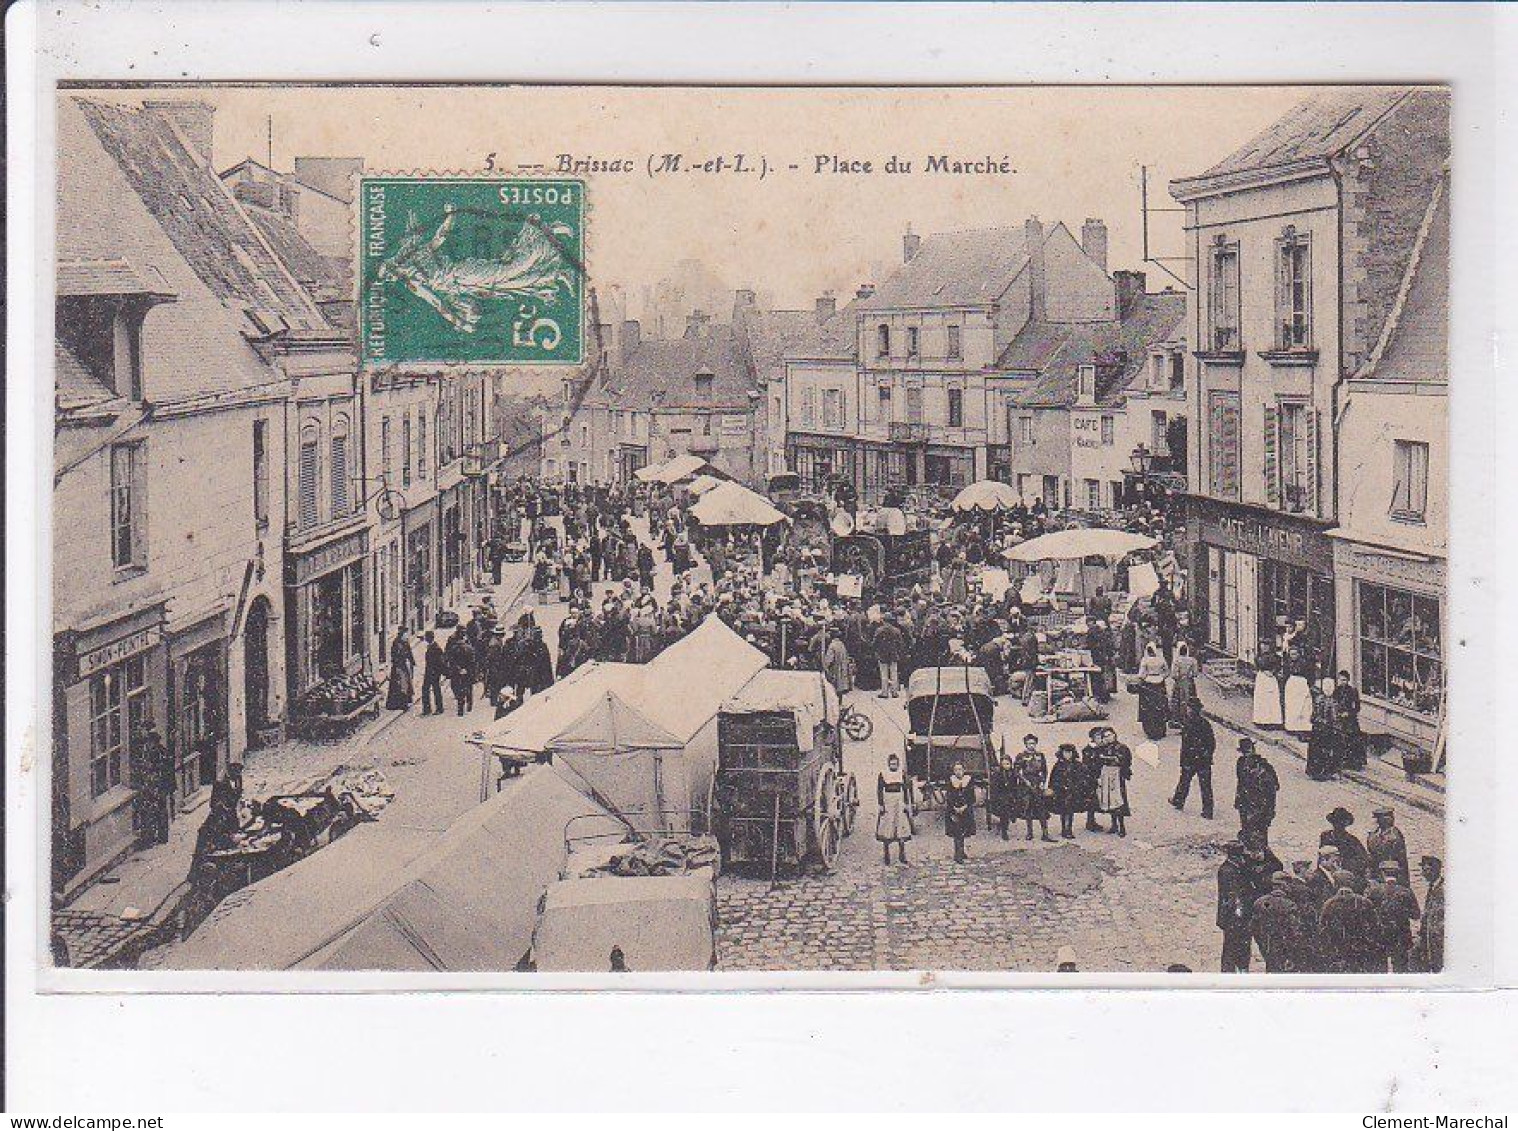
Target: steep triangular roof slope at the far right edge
1417	341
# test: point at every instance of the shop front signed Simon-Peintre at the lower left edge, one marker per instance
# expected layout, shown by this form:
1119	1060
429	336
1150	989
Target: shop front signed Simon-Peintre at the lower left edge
110	682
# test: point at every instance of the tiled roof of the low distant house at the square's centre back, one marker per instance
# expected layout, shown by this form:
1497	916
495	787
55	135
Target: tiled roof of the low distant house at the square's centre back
661	374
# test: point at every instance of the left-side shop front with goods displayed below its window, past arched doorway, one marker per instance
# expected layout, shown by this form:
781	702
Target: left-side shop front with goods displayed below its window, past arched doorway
326	594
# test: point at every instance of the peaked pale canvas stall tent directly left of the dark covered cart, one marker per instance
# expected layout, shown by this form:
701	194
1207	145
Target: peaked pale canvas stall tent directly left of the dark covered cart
638	739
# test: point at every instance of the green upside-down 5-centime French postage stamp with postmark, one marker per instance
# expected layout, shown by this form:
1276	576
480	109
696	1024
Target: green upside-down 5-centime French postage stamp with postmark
474	271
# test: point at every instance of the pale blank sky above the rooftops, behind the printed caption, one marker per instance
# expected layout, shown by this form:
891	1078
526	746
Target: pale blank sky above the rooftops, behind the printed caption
1074	153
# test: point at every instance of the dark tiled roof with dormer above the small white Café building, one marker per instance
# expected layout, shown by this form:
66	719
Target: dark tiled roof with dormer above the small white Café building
1120	353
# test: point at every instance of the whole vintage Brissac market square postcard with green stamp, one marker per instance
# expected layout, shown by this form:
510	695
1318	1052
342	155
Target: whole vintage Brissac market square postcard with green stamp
559	529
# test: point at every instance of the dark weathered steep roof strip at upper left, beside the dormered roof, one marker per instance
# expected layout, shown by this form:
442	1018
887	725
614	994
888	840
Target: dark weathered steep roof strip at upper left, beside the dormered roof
198	213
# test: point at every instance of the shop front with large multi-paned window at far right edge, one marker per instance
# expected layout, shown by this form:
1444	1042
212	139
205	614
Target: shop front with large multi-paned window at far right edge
1391	637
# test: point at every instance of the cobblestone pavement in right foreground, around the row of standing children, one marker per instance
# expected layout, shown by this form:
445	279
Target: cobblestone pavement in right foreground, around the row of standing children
1124	904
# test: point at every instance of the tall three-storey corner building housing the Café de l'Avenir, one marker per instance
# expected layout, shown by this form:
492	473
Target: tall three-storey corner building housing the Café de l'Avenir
1300	244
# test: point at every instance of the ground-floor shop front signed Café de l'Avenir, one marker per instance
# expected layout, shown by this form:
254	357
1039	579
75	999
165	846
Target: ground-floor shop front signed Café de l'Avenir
1256	575
